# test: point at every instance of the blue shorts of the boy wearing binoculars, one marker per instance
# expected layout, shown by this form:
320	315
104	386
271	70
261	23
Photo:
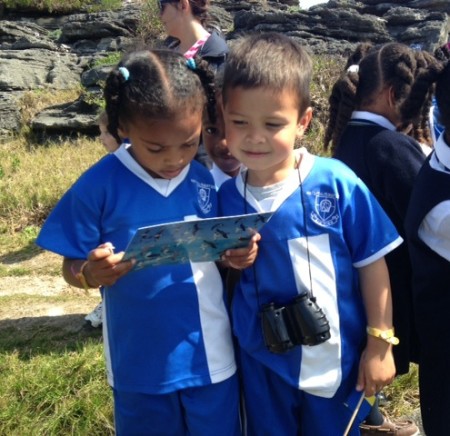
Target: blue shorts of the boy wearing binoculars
275	408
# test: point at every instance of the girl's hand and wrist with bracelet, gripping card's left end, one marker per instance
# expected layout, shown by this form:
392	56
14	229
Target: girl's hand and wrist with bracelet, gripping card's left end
102	268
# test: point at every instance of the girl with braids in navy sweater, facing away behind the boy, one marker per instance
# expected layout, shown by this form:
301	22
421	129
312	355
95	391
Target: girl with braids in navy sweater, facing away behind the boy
385	91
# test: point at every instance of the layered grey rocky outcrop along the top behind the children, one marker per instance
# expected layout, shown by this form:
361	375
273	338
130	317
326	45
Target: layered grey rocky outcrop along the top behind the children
60	52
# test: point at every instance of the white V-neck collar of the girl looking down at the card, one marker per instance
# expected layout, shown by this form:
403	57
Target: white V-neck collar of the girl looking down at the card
165	189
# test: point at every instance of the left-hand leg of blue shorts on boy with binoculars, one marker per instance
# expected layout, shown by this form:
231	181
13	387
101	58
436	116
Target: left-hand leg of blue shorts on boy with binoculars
272	406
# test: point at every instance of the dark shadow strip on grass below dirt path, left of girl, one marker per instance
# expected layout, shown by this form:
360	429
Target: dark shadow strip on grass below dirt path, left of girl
31	336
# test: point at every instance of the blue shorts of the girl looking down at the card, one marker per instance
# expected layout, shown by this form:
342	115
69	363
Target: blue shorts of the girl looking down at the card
200	411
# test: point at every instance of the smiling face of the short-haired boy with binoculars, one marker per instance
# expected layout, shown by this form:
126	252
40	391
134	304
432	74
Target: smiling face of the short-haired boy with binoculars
261	128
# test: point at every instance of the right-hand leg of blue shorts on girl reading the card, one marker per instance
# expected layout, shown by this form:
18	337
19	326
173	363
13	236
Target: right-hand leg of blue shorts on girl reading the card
212	409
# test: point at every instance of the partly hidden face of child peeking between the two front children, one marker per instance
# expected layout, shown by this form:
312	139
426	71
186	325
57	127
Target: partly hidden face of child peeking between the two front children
213	135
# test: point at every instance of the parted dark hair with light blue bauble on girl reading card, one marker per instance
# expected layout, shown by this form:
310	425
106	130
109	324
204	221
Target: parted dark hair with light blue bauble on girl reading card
156	84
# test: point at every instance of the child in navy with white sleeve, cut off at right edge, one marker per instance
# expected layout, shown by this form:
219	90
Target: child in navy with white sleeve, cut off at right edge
428	232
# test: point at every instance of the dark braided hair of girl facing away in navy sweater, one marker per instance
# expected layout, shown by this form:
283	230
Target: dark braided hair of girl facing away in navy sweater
410	74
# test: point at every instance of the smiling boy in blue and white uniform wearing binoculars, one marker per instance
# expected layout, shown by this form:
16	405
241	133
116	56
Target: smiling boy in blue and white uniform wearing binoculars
320	242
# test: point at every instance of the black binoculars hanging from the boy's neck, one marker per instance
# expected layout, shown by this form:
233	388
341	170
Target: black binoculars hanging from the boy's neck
301	322
